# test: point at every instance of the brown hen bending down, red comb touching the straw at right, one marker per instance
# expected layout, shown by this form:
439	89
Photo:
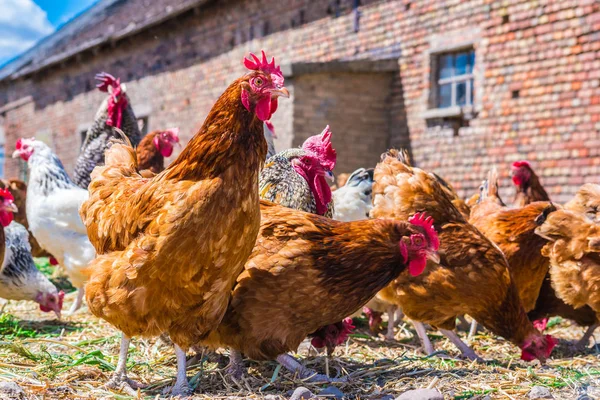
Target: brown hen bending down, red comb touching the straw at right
473	276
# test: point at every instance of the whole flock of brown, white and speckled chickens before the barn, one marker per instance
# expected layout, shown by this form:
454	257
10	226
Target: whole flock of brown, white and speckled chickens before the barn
199	252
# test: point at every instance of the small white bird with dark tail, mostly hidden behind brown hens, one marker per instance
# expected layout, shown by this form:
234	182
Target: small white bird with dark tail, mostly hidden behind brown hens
353	200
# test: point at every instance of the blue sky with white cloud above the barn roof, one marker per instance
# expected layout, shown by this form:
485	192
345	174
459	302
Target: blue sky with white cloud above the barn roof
24	22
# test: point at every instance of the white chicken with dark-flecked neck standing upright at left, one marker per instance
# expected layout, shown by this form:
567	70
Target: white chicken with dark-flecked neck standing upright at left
53	203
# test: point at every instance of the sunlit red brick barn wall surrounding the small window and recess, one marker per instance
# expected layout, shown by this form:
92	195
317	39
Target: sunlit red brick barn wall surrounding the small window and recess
546	51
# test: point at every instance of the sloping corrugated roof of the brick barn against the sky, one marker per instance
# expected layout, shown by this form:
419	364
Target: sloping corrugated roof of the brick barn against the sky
104	22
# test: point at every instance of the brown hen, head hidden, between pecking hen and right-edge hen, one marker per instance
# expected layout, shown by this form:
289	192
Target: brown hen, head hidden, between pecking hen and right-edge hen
513	230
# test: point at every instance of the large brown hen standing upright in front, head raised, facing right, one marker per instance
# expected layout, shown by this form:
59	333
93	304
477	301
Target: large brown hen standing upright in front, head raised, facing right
171	246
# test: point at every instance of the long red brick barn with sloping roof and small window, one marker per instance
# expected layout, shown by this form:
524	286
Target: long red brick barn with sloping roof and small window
464	84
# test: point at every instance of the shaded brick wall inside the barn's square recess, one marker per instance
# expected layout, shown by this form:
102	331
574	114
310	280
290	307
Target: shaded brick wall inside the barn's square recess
355	105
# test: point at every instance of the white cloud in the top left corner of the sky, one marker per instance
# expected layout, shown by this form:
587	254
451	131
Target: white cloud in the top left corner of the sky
22	24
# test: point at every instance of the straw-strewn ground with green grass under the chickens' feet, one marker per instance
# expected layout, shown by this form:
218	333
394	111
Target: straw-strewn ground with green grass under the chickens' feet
73	358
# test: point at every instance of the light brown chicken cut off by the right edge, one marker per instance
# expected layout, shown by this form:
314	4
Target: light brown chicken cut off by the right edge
574	259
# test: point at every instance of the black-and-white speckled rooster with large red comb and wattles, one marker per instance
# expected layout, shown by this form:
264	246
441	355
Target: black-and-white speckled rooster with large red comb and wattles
297	178
